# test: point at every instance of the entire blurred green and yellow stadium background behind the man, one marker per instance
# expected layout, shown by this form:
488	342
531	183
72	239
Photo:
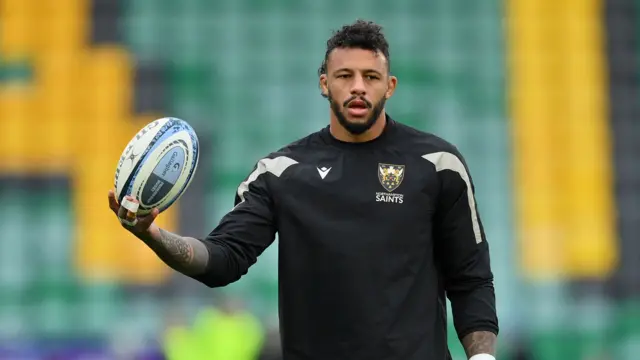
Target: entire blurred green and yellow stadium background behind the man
541	96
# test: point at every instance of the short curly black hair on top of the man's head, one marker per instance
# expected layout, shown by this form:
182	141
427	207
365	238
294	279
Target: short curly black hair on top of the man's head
362	34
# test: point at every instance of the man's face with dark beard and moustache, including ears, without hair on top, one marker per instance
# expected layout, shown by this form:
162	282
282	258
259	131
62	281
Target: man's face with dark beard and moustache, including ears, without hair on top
357	84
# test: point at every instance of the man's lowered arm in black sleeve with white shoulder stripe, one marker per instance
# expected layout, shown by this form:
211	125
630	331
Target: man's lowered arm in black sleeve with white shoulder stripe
463	255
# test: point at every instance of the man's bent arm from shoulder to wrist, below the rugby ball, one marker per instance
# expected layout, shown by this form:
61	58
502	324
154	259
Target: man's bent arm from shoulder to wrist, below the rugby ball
235	244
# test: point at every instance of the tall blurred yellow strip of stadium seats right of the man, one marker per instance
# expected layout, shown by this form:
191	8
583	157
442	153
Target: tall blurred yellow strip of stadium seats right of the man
562	172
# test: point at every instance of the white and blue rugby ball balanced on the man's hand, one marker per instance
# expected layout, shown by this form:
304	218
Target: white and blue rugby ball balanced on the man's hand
158	164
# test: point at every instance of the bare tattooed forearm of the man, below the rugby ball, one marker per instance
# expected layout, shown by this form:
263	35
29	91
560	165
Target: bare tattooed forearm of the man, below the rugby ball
183	254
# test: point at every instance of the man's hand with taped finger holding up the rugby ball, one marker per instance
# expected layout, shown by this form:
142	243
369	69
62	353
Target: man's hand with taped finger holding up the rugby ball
140	226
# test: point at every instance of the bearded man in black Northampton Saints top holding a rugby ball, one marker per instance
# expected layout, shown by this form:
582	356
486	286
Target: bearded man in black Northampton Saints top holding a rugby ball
377	222
